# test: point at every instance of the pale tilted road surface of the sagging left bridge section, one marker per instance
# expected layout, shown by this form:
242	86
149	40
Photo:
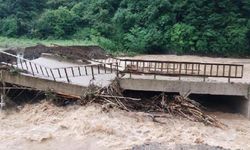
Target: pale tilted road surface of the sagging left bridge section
77	75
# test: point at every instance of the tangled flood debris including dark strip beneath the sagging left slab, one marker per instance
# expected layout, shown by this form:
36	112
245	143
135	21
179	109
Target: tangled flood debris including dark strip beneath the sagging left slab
112	97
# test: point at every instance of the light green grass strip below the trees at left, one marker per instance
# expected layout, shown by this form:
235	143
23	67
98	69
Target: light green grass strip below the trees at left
25	42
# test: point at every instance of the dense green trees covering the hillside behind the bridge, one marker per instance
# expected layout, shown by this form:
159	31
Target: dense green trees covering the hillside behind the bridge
211	27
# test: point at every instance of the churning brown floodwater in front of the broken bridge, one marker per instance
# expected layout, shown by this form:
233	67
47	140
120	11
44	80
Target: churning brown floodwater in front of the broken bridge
44	126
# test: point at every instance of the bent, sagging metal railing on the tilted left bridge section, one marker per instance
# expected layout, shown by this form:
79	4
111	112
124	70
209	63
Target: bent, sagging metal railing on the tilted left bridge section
38	70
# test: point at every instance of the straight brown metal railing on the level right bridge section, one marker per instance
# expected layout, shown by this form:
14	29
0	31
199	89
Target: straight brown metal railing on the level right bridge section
179	69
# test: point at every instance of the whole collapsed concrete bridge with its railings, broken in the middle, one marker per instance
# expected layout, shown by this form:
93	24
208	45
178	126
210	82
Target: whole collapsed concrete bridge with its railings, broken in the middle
135	75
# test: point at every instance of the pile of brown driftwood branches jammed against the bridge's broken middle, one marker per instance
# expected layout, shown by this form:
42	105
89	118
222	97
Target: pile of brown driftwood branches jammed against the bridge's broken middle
112	96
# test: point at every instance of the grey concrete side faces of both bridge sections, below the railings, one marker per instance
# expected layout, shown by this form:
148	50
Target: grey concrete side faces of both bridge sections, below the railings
168	86
